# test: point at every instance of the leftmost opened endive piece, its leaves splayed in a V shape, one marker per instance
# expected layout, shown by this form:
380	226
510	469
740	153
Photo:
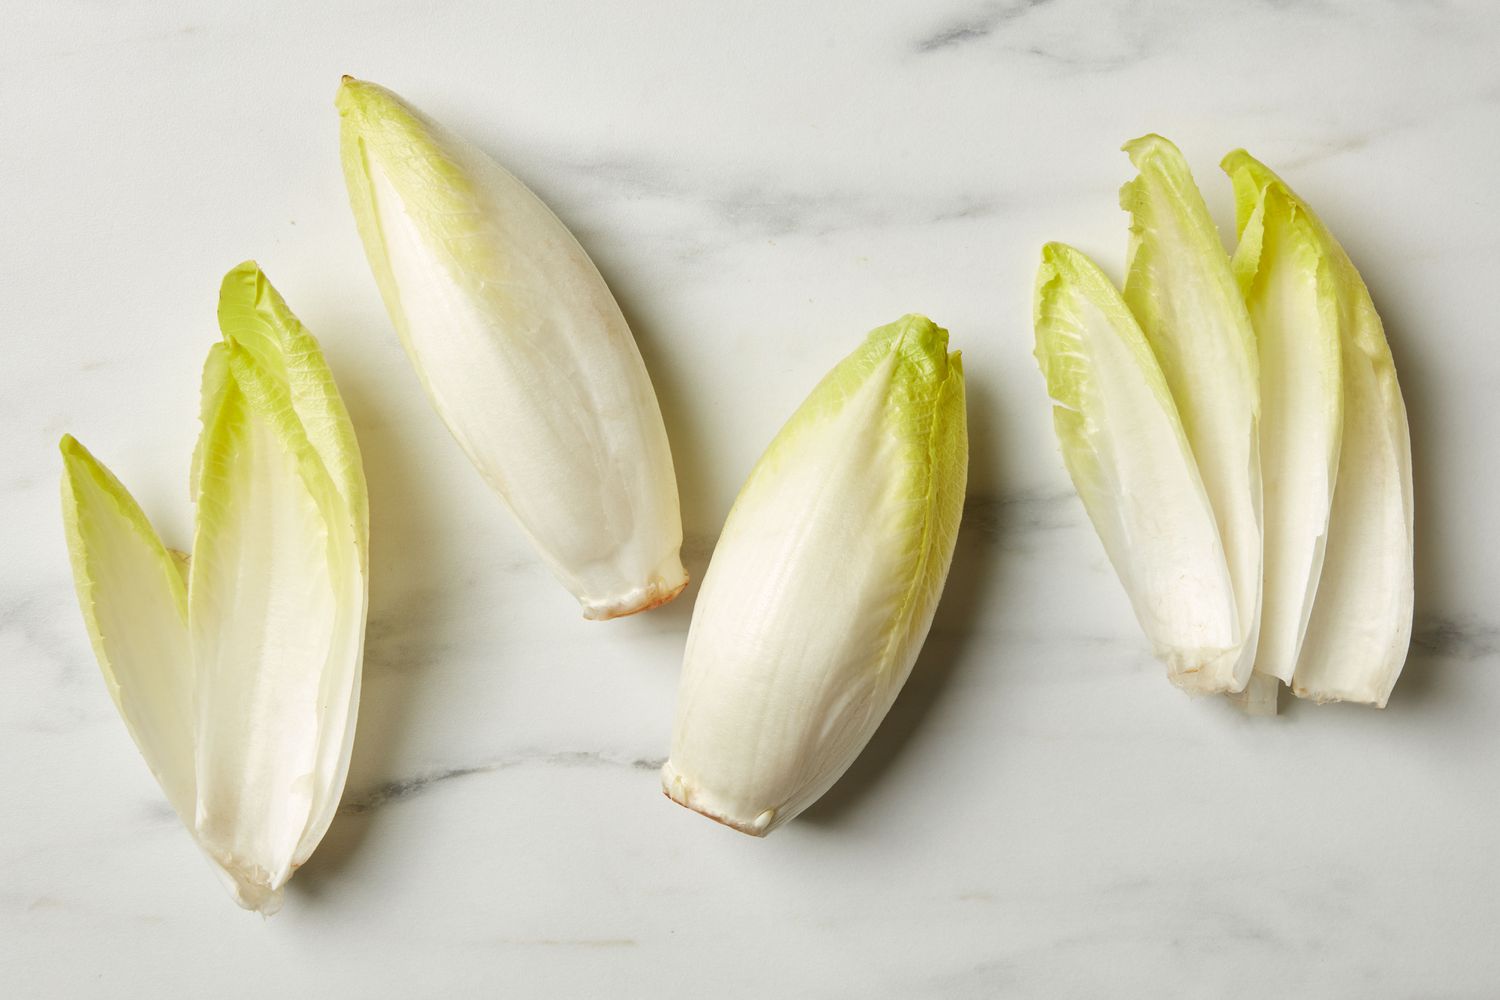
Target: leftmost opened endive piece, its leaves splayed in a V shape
238	669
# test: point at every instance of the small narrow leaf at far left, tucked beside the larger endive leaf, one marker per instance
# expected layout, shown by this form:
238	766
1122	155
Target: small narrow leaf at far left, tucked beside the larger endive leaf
136	609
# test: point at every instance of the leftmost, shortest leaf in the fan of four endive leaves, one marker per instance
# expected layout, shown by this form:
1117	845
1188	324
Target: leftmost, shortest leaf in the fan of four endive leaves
1132	464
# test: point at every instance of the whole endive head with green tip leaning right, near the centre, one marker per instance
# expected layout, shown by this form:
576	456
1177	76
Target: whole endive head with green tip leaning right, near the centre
824	584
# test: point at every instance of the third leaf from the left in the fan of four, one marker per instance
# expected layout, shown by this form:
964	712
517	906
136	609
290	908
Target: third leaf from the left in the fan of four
1289	287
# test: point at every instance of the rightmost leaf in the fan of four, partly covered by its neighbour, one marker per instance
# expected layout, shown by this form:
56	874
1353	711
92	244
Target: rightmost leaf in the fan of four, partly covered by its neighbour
1360	627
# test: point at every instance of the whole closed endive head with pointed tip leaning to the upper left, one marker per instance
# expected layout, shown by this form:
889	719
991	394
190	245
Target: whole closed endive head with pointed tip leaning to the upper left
523	352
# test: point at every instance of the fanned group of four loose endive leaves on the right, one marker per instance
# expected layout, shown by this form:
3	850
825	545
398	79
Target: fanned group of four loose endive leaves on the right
1237	434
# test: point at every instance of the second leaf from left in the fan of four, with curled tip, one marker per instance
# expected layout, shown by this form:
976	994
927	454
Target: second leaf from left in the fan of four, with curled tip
1183	292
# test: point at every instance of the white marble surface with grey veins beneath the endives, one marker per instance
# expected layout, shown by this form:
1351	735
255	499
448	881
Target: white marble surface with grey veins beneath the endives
761	184
